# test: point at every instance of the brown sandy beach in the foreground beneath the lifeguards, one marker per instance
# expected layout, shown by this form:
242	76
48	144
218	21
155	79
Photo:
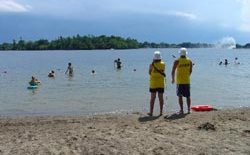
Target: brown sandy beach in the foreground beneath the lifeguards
215	132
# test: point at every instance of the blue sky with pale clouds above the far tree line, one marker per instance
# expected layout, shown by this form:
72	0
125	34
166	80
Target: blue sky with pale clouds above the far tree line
171	21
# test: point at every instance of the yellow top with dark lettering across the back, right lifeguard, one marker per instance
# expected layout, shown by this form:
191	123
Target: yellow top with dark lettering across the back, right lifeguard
183	71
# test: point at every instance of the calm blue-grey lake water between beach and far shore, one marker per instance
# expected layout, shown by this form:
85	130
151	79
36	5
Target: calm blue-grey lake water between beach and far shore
111	91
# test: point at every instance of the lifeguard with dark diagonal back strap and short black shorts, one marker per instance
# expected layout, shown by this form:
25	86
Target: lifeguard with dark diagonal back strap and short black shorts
157	83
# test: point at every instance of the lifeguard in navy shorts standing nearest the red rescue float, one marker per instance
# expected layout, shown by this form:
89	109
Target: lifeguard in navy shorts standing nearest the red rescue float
181	71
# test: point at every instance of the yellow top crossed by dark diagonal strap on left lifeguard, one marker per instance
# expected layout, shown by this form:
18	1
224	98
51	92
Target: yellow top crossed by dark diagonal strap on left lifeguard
157	79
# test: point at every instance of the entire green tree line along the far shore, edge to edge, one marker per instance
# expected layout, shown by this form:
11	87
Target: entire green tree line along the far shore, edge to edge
91	42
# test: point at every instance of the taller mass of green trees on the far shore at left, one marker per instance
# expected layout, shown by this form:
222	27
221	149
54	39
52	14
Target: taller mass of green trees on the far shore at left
73	43
